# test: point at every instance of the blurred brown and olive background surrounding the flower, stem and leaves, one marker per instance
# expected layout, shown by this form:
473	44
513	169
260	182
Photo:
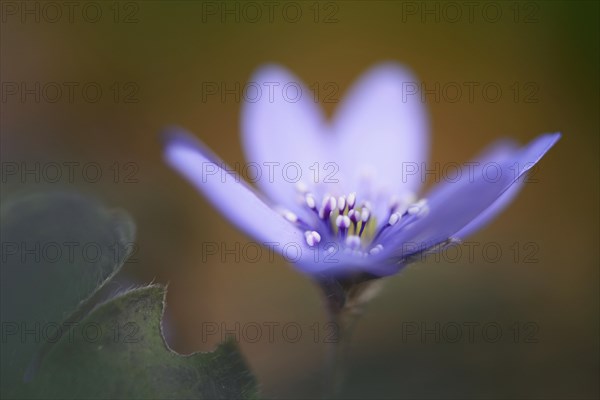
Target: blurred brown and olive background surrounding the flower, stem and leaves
135	67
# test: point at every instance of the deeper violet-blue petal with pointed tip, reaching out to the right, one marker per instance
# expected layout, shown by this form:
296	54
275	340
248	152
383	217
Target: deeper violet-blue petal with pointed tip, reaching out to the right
454	205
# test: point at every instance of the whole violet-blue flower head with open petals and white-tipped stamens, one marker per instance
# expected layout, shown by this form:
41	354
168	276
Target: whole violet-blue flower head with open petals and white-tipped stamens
339	197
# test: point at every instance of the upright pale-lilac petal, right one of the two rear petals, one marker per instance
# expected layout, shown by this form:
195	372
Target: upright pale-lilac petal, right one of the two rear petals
380	127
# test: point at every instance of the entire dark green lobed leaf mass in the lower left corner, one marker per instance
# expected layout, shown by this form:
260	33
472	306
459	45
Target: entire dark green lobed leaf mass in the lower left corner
114	350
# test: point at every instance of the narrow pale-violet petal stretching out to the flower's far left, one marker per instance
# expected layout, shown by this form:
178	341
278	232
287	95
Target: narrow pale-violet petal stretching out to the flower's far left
230	195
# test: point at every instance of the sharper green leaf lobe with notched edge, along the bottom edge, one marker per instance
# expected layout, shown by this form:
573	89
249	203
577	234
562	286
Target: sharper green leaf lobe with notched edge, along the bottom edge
118	351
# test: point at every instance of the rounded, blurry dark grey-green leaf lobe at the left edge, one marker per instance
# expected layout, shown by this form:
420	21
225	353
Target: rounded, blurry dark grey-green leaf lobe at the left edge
58	249
